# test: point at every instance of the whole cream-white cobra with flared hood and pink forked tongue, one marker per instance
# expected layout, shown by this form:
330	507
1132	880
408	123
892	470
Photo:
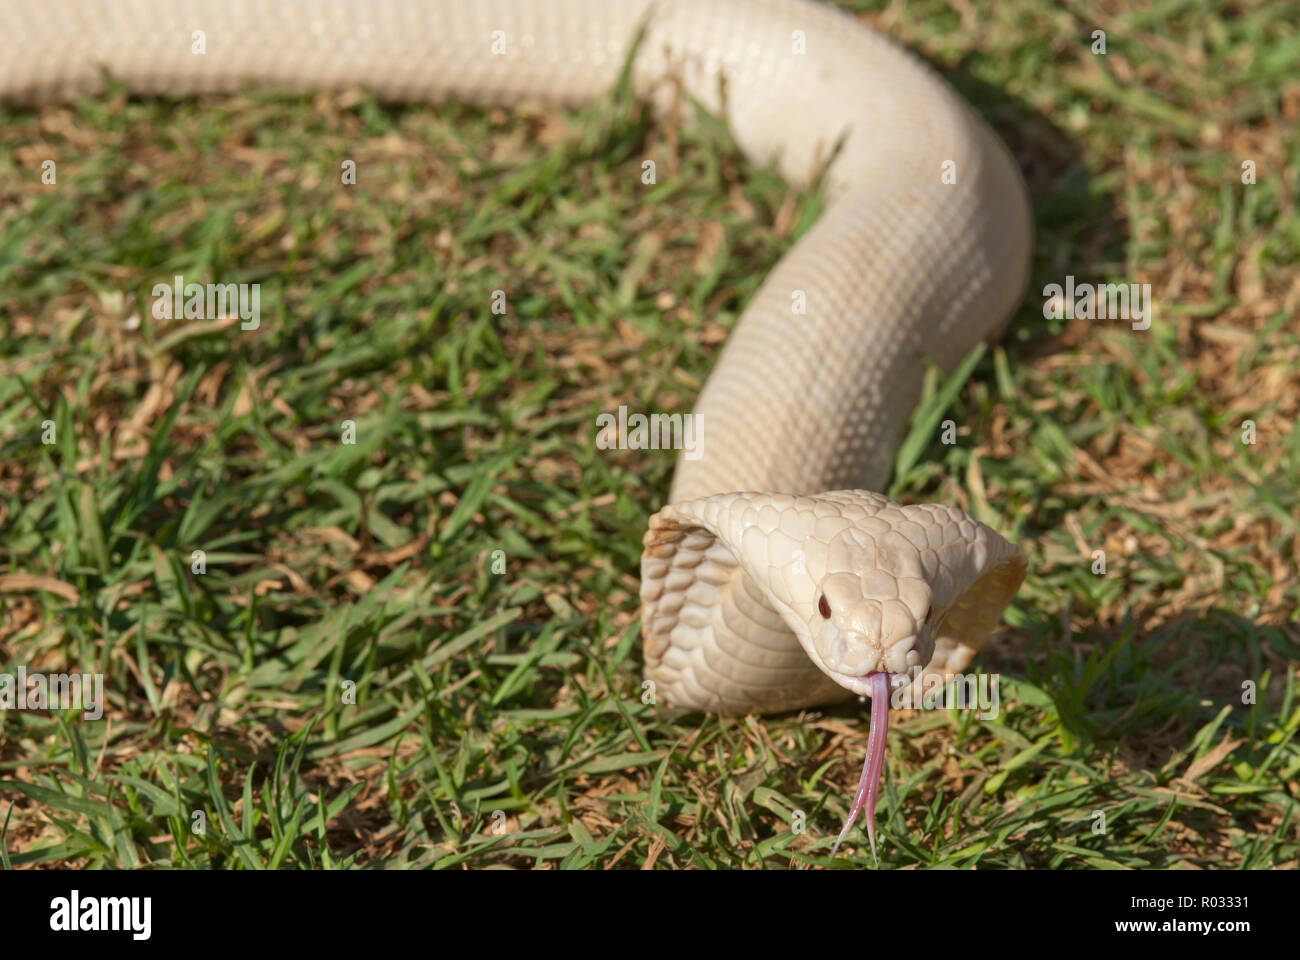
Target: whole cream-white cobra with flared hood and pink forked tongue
777	578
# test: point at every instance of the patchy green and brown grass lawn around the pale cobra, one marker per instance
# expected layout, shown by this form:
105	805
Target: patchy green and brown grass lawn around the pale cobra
352	685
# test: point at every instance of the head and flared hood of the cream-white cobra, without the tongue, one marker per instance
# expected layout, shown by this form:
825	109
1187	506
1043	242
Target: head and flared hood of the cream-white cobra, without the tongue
865	585
